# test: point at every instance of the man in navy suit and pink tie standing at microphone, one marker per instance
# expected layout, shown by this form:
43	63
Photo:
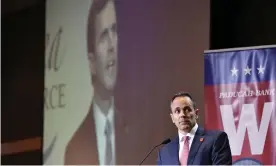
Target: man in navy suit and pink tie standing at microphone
193	145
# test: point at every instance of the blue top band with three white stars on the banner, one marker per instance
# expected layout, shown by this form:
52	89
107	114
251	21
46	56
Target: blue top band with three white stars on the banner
254	65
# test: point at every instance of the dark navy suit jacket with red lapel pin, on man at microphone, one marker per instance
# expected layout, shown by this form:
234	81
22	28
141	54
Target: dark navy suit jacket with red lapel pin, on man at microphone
208	148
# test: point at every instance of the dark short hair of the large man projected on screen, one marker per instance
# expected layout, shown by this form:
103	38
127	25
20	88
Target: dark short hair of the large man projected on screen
95	9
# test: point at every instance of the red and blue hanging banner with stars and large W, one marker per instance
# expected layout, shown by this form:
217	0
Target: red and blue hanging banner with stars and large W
239	93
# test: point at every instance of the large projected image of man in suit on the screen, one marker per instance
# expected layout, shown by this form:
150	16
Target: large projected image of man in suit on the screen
101	138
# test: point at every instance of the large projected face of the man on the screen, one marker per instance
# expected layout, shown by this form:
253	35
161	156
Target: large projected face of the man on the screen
106	47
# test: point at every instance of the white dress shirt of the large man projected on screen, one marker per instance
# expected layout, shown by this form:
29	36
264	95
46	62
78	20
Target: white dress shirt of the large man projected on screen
100	122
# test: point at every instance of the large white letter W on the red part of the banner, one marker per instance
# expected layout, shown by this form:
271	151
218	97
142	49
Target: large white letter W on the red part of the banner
247	121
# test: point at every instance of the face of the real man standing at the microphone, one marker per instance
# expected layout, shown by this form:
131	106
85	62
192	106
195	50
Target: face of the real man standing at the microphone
183	113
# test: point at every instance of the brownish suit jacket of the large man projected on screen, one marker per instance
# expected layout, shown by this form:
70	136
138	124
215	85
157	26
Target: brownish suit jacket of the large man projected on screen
82	148
